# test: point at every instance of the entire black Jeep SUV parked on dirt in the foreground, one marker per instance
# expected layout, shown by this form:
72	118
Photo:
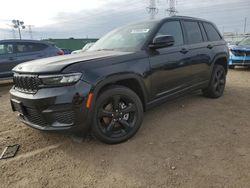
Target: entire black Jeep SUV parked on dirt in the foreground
129	70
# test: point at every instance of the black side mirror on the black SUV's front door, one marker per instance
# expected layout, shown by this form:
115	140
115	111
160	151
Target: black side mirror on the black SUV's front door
162	41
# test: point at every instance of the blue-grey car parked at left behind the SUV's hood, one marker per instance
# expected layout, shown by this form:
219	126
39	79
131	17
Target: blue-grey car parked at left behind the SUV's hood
13	52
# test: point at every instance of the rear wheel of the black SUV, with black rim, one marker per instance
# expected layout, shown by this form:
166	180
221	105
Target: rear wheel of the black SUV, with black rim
217	83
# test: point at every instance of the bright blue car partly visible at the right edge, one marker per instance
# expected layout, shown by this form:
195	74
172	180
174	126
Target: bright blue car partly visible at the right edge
240	54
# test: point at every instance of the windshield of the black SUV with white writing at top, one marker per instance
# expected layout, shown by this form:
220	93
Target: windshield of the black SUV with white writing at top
127	38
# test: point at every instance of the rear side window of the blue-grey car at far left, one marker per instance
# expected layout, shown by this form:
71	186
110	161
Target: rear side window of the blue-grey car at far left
30	47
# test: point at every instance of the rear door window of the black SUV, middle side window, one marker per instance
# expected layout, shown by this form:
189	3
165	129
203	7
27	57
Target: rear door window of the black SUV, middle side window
193	32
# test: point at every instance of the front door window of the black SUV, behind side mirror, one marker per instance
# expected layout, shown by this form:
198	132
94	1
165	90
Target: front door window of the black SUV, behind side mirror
172	28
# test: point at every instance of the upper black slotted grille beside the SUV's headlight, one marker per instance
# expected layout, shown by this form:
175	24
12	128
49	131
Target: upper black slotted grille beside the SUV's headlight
26	83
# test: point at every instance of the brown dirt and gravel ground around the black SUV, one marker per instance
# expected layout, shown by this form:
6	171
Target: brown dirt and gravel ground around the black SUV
189	142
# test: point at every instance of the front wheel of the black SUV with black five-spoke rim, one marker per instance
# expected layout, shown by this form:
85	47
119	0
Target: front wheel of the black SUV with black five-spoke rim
117	116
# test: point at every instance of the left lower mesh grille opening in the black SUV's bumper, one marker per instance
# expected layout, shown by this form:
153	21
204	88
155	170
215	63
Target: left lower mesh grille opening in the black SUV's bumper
35	117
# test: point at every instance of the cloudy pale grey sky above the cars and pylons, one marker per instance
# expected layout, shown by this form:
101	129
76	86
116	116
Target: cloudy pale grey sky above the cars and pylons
93	18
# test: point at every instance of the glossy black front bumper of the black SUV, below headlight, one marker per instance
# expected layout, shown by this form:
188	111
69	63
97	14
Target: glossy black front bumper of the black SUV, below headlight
54	109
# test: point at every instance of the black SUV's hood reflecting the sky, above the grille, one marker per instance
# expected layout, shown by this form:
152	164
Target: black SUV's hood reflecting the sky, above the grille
58	63
